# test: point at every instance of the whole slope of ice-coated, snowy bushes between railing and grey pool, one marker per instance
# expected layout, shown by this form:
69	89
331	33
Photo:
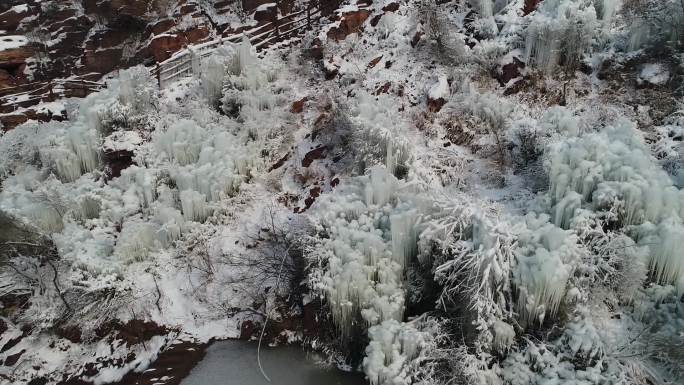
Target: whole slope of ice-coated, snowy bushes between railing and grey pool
481	192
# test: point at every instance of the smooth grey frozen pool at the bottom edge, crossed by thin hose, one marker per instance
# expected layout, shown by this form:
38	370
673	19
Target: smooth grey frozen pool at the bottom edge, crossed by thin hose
235	363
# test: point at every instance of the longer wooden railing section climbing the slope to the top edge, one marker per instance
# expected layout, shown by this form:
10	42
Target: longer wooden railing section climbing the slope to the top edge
285	27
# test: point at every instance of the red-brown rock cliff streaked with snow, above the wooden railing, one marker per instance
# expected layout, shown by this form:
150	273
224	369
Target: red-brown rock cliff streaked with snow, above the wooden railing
94	37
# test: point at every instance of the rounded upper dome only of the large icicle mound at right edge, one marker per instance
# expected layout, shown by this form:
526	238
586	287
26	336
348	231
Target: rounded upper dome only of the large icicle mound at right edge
613	164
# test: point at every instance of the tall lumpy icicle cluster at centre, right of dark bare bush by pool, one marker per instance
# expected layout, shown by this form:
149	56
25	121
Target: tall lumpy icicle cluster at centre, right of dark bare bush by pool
372	237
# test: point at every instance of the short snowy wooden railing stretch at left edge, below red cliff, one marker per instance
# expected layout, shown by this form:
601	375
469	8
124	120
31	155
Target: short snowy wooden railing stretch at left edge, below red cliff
30	94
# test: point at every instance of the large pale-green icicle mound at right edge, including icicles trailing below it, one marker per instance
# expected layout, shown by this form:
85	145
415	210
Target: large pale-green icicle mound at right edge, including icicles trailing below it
614	170
